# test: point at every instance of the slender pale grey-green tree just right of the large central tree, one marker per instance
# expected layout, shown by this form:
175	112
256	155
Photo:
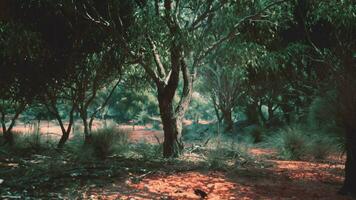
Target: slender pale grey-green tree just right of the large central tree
224	79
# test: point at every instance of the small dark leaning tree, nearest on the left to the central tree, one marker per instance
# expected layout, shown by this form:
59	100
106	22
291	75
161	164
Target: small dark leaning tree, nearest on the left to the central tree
98	71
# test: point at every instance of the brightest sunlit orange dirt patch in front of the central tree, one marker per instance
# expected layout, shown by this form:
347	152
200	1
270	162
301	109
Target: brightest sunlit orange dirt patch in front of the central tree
182	186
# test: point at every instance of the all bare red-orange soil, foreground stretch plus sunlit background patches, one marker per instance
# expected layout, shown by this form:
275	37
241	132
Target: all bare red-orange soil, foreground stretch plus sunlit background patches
280	180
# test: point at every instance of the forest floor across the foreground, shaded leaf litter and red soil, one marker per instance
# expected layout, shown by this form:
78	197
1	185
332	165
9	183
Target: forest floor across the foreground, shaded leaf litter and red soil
49	175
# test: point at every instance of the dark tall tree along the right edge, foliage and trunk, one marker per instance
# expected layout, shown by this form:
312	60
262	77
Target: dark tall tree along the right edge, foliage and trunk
330	30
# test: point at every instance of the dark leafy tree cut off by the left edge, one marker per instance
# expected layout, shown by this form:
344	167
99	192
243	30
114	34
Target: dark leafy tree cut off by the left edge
19	57
